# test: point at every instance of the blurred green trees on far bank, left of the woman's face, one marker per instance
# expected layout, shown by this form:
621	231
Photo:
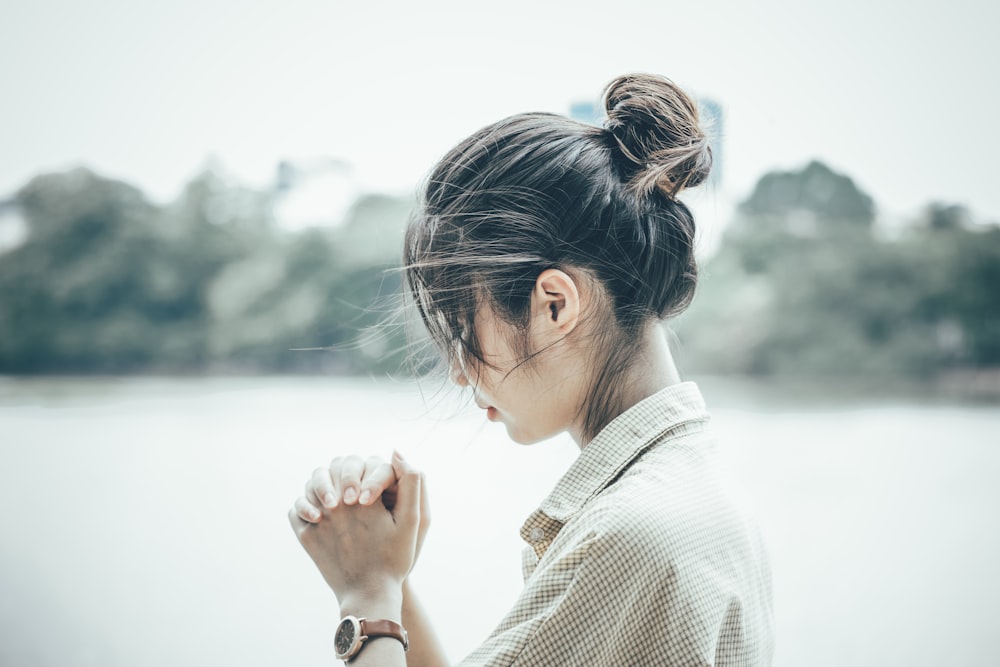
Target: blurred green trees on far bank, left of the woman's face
107	282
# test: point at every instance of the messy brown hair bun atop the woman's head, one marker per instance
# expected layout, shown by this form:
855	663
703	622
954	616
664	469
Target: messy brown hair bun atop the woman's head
656	127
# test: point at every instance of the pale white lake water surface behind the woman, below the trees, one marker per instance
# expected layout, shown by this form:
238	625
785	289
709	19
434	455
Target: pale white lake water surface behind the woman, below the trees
142	522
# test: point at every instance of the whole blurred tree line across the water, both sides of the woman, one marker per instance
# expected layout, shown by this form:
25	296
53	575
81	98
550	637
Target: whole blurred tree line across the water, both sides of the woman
804	283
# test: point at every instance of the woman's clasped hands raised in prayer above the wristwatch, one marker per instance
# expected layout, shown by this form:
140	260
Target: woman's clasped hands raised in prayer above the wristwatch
362	522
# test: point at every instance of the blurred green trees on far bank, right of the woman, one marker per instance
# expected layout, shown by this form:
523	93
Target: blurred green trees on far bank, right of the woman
831	298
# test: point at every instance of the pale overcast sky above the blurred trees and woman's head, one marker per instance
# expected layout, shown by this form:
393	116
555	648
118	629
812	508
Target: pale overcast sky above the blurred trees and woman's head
902	96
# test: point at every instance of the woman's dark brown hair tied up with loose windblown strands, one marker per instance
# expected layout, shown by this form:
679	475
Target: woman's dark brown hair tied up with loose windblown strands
539	195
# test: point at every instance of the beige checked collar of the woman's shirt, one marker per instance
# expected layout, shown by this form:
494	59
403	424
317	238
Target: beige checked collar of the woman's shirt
610	452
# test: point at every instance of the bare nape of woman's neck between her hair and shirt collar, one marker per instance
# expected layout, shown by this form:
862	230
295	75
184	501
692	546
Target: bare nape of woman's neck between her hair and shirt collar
651	370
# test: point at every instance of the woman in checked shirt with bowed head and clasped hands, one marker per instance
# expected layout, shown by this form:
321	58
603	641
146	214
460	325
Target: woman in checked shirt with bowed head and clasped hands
544	257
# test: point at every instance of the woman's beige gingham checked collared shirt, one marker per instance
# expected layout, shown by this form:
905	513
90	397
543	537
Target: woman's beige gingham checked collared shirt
639	557
